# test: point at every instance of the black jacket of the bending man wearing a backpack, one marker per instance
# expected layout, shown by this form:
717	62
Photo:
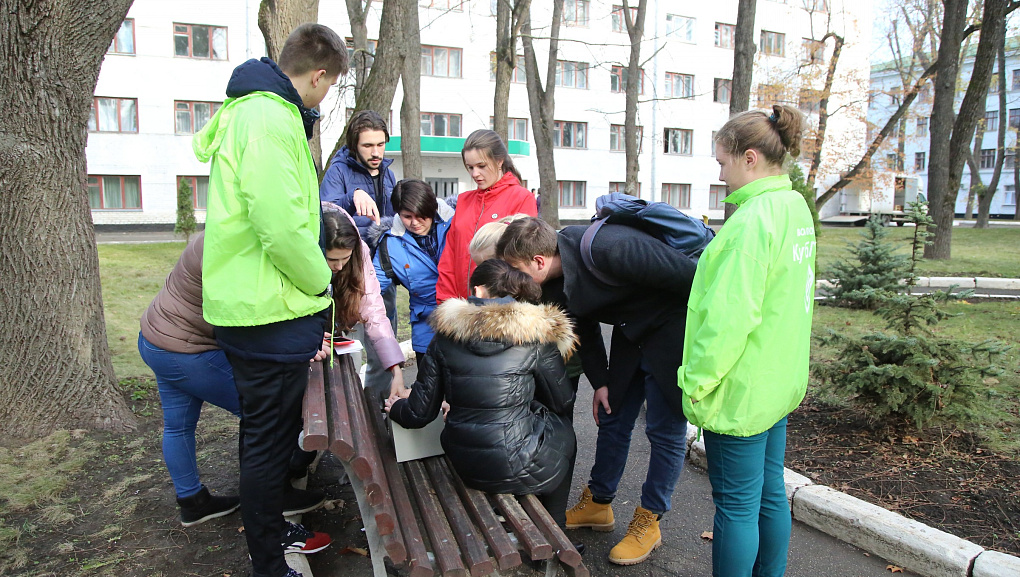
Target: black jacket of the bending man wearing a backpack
648	313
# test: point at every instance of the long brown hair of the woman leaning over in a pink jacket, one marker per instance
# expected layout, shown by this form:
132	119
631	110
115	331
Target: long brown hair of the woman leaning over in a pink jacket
349	284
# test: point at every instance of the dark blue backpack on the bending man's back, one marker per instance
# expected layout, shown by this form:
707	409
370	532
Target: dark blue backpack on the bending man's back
662	221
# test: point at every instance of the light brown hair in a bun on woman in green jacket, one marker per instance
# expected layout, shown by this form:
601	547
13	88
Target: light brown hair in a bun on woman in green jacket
774	136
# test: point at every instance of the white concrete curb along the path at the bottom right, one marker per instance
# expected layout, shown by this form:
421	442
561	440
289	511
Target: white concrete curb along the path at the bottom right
908	544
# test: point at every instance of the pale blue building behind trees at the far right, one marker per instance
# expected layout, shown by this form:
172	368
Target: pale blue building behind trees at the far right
912	161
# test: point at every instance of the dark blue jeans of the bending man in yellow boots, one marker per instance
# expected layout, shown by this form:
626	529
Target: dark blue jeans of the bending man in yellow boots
667	434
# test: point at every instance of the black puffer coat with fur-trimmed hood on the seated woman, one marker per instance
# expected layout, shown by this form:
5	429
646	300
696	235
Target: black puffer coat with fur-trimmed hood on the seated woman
499	364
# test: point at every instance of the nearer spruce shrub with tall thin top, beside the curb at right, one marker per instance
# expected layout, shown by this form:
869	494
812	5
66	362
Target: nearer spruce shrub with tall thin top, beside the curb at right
907	371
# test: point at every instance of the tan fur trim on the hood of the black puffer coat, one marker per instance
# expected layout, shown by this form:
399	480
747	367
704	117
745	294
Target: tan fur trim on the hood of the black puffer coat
516	324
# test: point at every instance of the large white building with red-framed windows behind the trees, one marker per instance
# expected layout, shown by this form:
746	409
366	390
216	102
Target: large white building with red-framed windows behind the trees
168	71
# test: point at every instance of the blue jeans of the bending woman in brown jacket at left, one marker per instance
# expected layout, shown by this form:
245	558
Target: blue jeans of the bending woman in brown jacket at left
186	382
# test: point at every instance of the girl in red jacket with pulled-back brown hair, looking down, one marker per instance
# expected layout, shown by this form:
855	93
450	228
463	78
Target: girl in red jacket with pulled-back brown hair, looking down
499	195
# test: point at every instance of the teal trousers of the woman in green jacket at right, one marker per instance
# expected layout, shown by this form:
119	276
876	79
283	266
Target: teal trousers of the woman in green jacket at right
752	514
